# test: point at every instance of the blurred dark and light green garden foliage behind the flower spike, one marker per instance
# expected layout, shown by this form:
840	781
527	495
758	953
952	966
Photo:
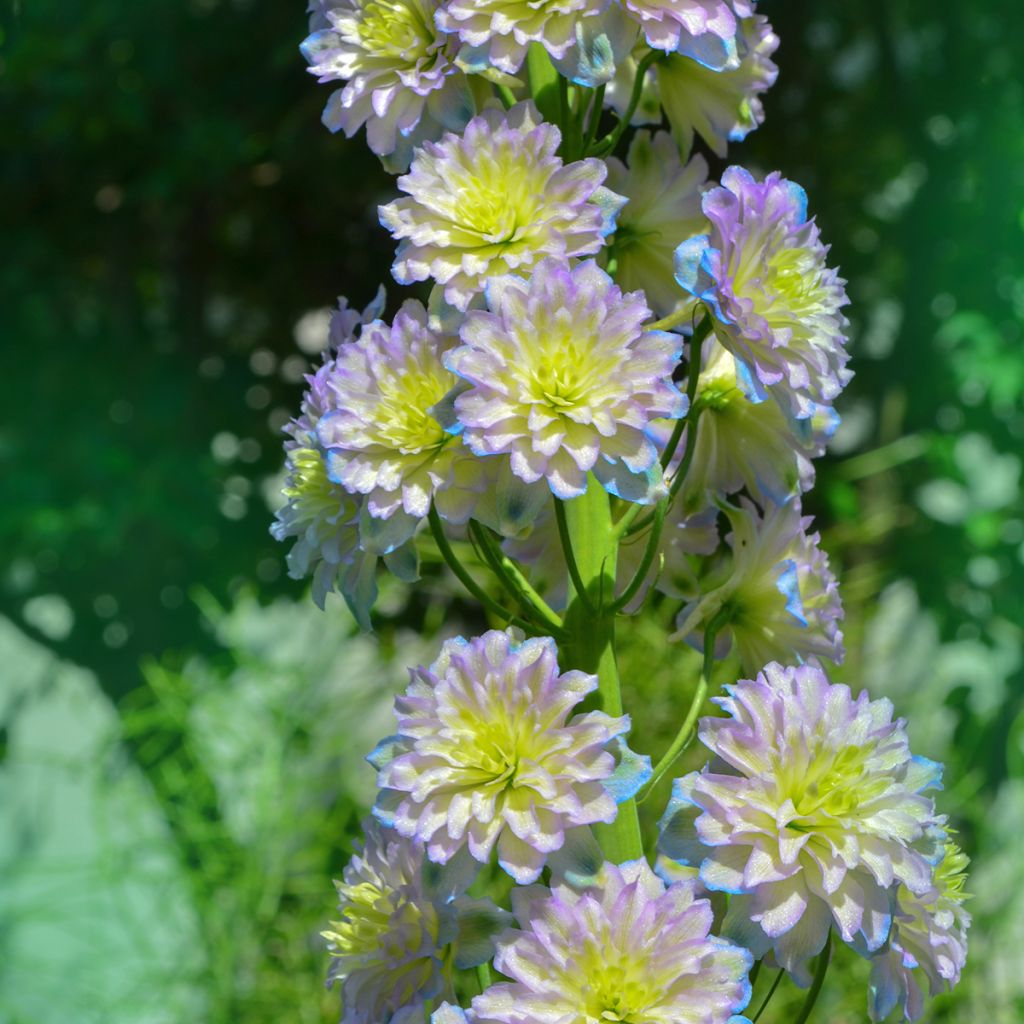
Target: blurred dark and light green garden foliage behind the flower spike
181	730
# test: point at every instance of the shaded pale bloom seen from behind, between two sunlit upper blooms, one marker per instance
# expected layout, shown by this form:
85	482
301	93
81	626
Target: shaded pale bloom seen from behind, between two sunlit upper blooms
664	208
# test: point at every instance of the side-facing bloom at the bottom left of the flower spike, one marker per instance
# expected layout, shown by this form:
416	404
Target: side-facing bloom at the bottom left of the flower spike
399	917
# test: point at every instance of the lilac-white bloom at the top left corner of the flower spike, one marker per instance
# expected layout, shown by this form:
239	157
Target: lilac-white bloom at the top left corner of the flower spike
402	80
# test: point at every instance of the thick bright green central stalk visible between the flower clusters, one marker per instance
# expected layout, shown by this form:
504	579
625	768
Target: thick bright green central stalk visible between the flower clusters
591	645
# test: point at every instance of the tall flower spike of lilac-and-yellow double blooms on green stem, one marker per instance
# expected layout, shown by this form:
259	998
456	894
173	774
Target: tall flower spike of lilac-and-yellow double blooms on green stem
610	406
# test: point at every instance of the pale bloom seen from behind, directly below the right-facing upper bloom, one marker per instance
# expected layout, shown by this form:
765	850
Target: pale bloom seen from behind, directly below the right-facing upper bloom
746	444
